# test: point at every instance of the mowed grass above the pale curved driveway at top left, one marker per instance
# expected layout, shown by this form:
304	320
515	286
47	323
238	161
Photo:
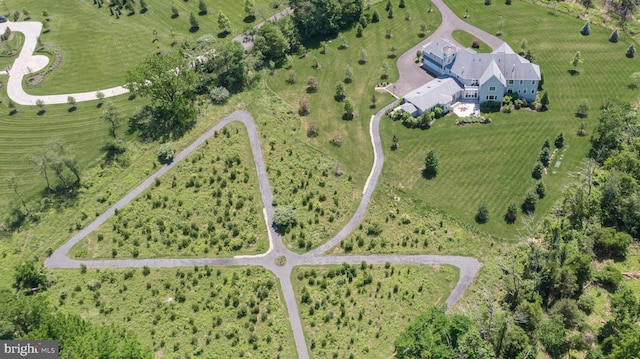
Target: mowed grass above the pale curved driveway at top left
97	49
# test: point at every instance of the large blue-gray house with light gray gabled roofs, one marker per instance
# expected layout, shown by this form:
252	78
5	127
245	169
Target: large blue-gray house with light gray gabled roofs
465	74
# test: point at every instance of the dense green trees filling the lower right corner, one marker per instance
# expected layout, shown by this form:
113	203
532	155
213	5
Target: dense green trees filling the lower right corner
544	301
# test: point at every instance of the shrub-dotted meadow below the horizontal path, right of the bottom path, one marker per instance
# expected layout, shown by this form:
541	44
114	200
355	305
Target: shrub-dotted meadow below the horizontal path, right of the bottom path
359	311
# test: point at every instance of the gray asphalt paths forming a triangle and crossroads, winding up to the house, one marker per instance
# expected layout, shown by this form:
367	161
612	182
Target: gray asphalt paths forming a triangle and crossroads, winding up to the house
411	76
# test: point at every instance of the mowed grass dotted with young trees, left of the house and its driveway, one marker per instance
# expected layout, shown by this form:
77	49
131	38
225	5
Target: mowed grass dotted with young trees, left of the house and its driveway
355	151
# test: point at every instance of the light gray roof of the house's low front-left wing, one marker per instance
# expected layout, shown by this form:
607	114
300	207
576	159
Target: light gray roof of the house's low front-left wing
433	93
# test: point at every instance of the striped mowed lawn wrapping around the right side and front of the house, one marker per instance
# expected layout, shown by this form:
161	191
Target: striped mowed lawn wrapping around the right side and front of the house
493	163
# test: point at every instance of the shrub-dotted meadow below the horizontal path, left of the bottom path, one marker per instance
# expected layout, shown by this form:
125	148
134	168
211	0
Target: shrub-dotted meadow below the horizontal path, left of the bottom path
198	311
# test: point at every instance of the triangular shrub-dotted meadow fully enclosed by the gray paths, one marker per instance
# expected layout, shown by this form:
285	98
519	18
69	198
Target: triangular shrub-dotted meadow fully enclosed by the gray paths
208	205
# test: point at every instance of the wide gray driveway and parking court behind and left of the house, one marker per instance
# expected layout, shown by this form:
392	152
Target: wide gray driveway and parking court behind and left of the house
412	75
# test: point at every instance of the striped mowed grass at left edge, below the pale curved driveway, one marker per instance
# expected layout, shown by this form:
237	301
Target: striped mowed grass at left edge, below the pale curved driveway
26	133
